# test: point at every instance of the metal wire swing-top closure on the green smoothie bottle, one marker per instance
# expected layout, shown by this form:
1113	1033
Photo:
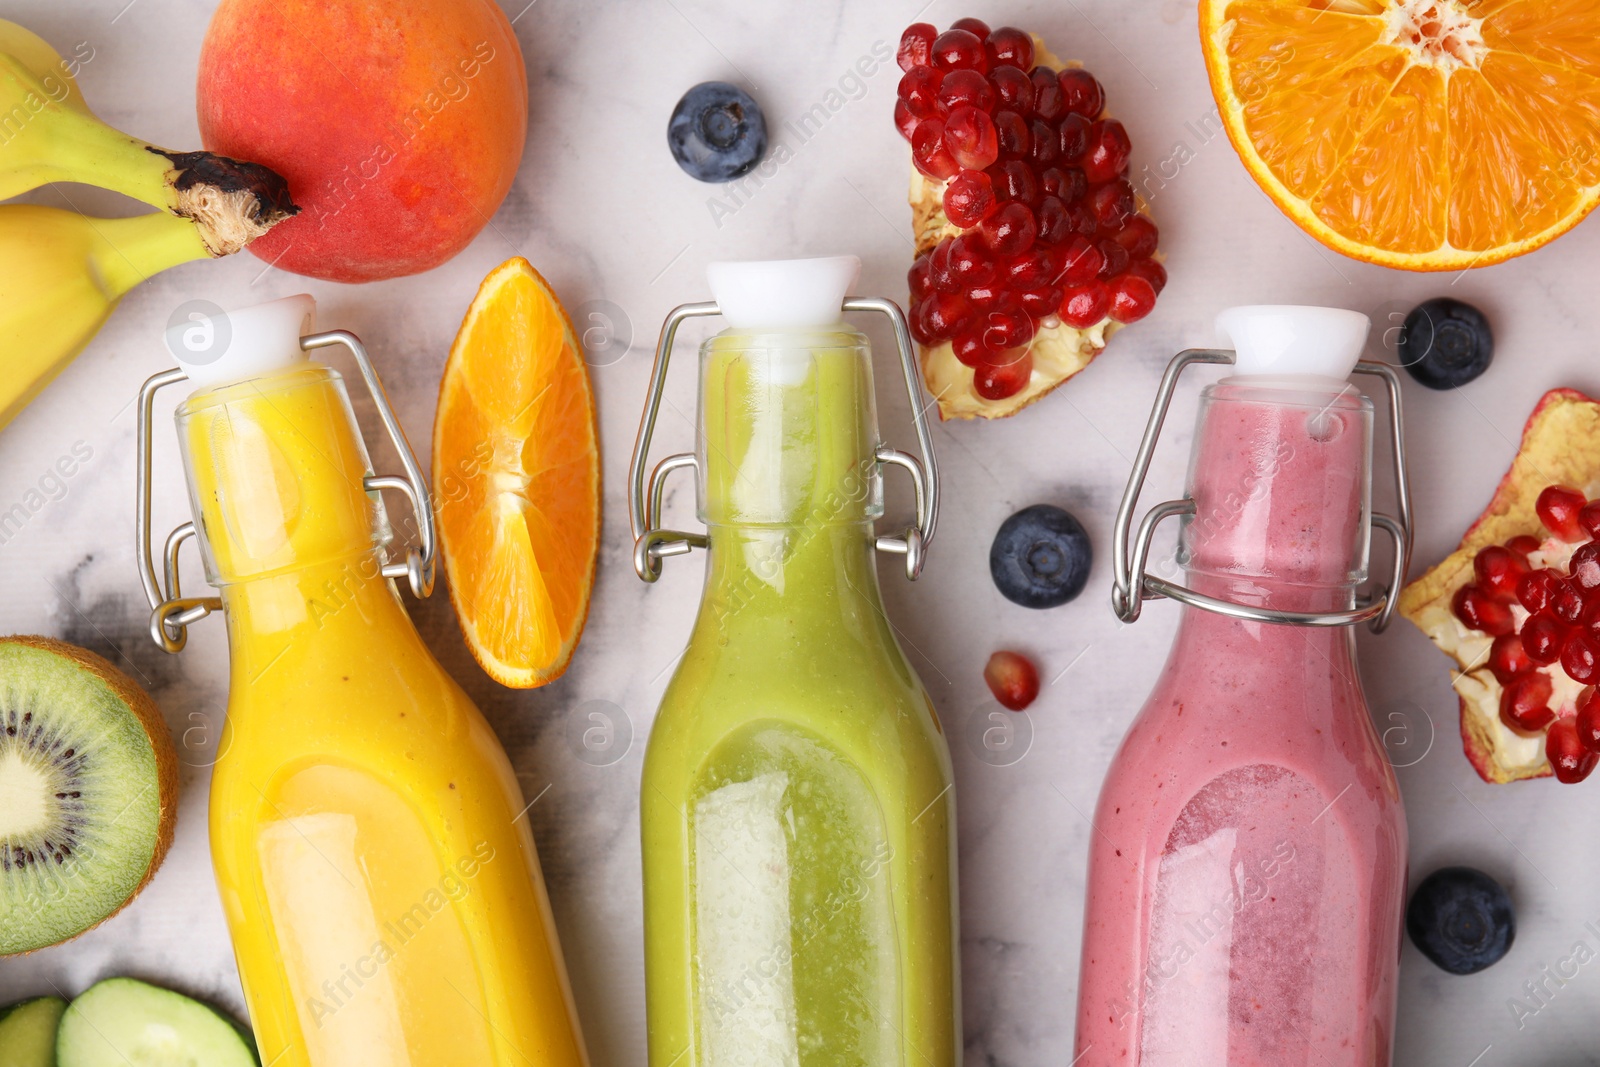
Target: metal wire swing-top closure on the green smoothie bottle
652	545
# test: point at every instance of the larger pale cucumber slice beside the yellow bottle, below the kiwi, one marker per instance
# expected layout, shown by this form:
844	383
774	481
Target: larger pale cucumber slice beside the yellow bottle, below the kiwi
126	1021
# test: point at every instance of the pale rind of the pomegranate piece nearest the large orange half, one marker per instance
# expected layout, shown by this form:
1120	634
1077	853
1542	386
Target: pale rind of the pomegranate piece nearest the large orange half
1060	351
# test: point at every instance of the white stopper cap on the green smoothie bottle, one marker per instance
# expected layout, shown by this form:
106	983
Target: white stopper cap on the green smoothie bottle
783	294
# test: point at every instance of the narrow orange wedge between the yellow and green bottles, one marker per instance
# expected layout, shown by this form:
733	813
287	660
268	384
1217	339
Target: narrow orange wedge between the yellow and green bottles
518	479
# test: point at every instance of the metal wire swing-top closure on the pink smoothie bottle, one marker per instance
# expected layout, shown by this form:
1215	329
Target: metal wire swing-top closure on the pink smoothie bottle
1134	585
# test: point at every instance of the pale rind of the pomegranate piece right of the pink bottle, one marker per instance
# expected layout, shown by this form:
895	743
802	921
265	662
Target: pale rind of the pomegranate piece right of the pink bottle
1561	444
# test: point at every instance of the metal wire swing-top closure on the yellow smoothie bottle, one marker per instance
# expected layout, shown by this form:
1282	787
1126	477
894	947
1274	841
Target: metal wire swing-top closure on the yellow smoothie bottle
172	613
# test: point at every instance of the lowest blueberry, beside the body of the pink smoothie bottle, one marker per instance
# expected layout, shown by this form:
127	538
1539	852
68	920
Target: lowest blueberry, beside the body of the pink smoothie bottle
1462	921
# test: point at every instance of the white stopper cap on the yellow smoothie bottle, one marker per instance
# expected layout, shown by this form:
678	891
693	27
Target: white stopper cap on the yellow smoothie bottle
218	348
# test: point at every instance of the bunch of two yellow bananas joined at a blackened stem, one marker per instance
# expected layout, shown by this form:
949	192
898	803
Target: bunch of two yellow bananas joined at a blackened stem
62	274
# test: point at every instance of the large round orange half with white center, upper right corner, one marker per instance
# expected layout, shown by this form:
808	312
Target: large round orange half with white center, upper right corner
1430	135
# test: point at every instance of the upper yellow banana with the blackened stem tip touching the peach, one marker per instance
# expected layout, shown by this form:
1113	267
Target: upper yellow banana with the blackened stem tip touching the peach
49	134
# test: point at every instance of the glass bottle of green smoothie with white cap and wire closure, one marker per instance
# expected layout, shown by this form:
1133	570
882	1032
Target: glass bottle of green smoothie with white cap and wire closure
798	810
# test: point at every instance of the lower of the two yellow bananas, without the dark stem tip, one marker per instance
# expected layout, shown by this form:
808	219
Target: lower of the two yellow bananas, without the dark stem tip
62	274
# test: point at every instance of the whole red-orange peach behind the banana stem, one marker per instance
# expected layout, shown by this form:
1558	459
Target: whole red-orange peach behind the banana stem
398	124
